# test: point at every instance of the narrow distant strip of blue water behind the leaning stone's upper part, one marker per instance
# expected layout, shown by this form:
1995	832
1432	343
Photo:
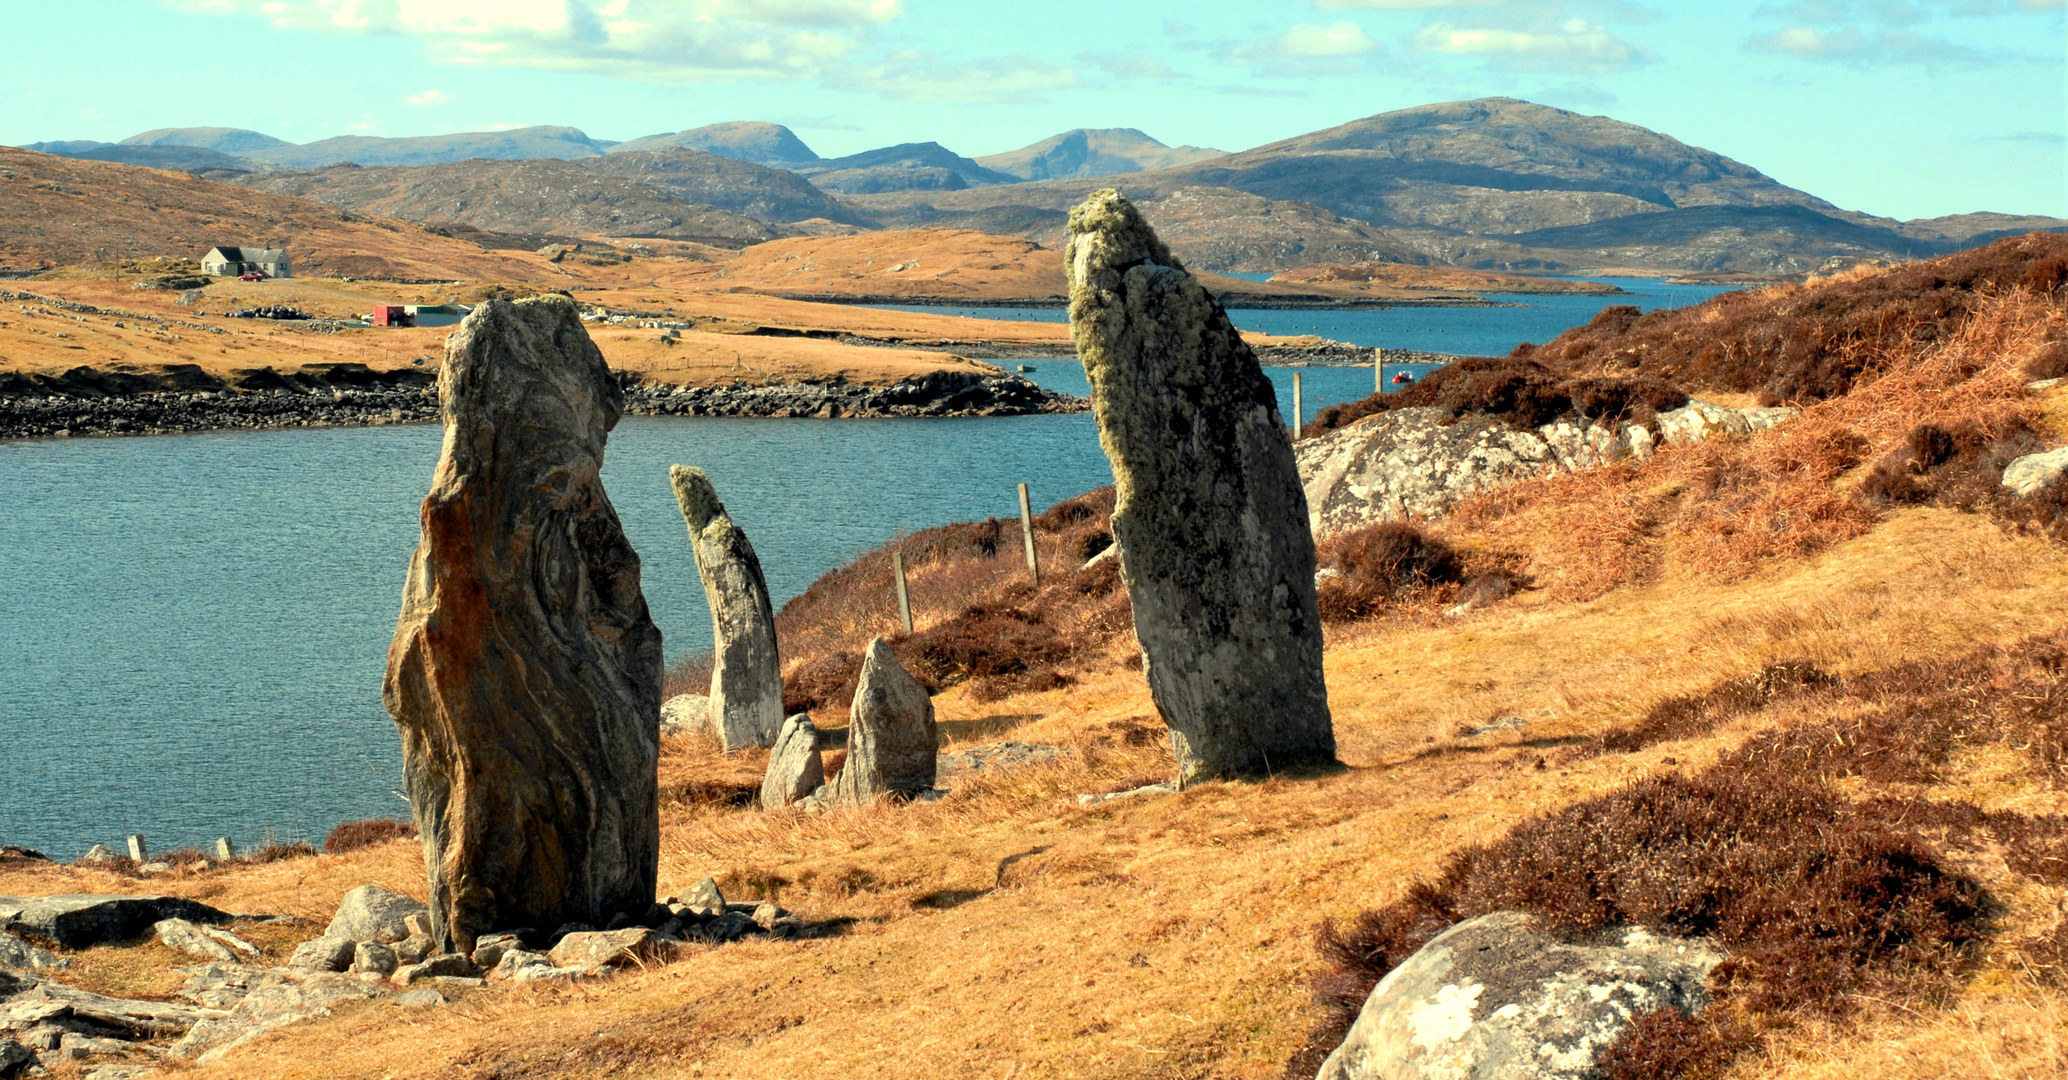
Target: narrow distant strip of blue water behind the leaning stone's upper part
1455	330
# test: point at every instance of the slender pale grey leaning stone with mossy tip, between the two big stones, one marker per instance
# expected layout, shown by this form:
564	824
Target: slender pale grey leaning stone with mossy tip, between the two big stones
746	678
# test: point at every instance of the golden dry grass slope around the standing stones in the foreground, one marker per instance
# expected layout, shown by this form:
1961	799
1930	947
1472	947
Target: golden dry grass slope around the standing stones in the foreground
1006	932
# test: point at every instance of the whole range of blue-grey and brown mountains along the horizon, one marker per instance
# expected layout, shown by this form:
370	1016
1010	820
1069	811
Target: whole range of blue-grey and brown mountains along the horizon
1490	185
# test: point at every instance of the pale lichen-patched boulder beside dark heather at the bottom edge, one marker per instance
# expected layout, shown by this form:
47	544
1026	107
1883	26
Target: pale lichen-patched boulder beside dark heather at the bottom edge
1496	1000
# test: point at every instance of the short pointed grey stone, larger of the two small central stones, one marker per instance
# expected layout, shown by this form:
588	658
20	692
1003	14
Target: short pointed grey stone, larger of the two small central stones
892	742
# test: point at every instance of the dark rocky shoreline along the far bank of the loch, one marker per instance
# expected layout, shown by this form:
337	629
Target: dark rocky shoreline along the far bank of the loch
38	415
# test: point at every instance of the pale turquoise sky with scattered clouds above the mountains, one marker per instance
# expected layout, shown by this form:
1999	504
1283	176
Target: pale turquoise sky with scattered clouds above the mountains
1904	109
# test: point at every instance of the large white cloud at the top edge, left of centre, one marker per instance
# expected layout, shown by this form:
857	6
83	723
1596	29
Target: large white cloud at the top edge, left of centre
663	40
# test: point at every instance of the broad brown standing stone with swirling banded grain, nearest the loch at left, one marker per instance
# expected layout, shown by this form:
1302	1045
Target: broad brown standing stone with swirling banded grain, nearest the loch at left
526	671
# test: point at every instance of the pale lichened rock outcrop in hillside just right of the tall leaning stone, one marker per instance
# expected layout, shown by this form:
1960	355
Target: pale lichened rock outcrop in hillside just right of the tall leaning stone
1422	464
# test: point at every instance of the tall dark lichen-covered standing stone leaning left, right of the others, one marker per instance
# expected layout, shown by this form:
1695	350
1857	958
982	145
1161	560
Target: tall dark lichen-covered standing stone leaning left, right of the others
1209	516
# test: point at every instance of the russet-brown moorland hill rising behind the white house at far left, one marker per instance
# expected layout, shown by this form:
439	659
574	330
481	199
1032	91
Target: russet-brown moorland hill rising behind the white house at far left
59	212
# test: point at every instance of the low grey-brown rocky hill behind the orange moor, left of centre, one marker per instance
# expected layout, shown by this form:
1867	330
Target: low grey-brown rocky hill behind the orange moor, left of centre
518	198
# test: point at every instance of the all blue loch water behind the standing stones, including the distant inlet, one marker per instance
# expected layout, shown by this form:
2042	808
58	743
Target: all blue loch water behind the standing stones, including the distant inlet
193	628
